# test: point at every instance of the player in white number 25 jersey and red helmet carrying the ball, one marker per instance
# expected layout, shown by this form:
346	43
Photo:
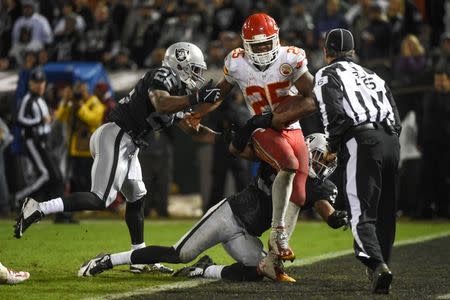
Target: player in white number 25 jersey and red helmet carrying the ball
268	75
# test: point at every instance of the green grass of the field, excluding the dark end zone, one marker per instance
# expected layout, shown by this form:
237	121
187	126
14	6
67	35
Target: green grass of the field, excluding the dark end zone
53	253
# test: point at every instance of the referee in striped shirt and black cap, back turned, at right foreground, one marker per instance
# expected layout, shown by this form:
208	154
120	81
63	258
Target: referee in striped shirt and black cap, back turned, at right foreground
361	120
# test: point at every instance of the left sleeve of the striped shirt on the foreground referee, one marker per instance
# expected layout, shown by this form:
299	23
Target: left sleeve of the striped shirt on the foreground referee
329	98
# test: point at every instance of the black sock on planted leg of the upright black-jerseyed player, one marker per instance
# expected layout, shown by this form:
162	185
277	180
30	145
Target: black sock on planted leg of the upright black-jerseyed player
134	217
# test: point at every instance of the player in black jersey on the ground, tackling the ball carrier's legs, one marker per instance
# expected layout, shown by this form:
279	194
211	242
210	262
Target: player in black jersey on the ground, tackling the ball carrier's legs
236	222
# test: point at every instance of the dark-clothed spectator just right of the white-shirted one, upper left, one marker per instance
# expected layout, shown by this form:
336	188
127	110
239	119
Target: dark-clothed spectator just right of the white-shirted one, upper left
67	46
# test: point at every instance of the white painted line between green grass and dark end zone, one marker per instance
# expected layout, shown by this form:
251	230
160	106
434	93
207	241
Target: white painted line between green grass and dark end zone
297	263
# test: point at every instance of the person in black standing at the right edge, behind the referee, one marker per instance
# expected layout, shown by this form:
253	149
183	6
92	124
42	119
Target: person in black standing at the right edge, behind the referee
434	135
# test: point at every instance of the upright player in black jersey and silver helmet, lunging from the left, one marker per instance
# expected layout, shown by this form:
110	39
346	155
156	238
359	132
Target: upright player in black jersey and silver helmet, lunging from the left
156	102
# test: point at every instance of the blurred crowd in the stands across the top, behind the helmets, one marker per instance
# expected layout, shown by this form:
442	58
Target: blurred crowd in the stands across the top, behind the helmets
134	33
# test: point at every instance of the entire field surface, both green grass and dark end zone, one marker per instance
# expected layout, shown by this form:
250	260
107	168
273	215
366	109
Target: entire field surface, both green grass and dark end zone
53	254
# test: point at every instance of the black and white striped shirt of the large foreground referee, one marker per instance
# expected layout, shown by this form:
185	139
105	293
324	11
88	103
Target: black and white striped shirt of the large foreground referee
348	95
